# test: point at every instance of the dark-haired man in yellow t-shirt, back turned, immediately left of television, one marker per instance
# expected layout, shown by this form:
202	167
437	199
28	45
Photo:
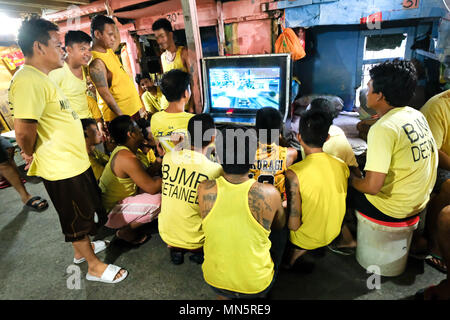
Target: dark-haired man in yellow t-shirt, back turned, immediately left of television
169	126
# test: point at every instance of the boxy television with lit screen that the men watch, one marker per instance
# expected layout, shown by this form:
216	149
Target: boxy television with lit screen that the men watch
235	87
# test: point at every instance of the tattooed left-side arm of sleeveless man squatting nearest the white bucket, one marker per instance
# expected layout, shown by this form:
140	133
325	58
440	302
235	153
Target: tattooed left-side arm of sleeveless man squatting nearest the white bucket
294	201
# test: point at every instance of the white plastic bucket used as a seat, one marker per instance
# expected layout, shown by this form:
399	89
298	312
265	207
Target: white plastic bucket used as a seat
384	247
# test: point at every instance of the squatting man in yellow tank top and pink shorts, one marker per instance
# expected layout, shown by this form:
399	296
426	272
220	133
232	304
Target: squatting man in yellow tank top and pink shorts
124	173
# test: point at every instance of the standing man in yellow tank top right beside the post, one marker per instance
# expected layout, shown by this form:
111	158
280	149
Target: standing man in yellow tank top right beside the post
173	57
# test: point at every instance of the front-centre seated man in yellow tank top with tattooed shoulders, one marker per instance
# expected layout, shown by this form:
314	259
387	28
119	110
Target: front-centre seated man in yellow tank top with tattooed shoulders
238	214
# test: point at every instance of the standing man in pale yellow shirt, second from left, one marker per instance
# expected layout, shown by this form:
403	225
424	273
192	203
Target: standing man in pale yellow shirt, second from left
71	78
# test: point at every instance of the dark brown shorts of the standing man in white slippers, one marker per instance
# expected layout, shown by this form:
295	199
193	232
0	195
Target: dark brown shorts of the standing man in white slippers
76	200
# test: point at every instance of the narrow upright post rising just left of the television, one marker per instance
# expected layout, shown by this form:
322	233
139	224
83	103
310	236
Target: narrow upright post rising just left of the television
194	49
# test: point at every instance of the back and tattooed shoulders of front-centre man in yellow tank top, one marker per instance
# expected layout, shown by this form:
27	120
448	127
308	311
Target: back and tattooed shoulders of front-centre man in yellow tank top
237	228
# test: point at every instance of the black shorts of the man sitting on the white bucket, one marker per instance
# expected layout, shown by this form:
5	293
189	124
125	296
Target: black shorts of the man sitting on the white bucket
357	200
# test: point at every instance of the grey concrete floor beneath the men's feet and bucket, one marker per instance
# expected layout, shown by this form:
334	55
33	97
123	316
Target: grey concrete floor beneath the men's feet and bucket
34	259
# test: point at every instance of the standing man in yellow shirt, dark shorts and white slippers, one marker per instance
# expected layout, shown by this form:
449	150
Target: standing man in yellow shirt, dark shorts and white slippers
49	130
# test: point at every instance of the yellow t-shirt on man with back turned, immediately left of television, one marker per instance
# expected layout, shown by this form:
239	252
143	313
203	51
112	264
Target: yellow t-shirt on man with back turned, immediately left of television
164	124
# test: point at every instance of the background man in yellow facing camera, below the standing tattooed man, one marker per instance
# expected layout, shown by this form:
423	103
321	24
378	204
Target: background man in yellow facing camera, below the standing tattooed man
152	96
